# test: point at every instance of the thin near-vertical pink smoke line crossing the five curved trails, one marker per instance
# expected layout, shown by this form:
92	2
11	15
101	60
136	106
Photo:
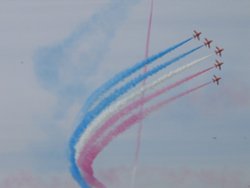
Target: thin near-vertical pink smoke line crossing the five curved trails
138	138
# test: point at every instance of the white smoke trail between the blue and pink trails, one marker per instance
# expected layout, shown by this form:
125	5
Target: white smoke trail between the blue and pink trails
119	104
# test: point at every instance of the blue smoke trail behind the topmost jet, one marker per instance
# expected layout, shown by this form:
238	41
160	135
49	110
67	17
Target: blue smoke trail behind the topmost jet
124	74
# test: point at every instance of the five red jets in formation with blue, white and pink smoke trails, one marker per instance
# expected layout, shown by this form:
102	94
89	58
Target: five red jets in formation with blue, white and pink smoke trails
113	108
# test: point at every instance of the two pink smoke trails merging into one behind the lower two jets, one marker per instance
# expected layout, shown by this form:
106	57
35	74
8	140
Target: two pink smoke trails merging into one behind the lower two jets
90	151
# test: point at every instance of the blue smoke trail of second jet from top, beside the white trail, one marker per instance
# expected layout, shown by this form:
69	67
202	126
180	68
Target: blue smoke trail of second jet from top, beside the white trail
89	117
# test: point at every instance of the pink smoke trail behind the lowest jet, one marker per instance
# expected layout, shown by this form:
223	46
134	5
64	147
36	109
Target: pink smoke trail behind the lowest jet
133	119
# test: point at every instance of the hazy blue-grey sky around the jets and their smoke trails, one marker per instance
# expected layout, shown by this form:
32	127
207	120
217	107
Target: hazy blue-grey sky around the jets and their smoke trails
53	54
